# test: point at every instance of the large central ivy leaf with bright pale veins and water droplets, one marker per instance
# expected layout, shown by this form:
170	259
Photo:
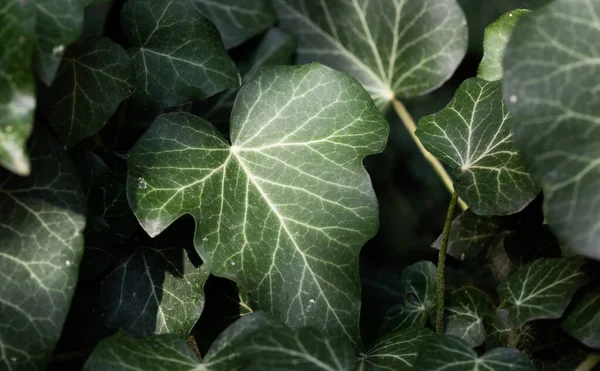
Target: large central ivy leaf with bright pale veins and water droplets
286	208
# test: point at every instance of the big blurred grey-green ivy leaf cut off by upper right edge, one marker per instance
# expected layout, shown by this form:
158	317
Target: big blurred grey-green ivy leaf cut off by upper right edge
550	87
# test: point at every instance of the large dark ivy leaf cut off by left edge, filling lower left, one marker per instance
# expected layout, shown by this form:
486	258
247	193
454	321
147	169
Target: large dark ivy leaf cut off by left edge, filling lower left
41	222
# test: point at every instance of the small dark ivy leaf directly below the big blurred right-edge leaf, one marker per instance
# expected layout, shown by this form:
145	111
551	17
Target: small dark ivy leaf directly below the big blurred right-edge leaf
542	289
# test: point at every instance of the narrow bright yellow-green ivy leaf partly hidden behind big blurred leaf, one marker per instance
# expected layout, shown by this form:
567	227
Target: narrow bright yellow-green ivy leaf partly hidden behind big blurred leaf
494	42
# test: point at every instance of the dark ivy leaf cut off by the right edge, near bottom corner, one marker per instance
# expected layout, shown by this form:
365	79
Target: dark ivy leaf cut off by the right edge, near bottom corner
583	322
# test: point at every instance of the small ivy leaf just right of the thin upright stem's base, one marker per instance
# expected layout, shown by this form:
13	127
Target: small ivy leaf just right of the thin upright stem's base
469	311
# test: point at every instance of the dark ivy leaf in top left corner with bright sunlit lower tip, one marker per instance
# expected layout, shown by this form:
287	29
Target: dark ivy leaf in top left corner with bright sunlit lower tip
17	96
